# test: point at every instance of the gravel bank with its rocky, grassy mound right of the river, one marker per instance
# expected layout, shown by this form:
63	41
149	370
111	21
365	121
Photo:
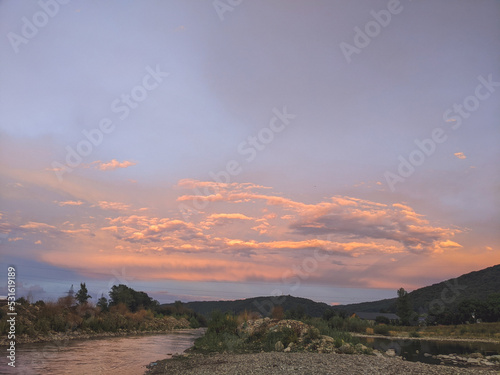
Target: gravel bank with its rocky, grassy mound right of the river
290	346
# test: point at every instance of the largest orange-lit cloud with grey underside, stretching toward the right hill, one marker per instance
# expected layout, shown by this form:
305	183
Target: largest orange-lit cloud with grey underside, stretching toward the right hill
341	215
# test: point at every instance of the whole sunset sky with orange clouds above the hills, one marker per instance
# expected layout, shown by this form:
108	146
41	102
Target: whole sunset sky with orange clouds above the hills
333	150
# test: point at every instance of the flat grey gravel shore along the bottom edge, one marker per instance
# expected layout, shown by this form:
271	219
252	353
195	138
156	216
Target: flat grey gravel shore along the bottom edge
301	363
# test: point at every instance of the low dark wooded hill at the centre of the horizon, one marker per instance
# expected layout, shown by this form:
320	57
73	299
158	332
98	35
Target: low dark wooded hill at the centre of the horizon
262	305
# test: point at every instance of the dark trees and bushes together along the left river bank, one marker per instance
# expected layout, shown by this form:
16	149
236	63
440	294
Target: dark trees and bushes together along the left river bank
73	316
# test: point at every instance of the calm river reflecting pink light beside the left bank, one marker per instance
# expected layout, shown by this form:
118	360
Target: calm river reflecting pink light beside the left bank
111	355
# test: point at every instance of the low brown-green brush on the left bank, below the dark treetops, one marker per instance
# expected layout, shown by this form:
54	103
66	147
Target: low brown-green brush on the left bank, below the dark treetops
66	320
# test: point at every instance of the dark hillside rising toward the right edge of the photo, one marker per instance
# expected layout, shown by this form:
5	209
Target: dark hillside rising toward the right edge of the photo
474	285
